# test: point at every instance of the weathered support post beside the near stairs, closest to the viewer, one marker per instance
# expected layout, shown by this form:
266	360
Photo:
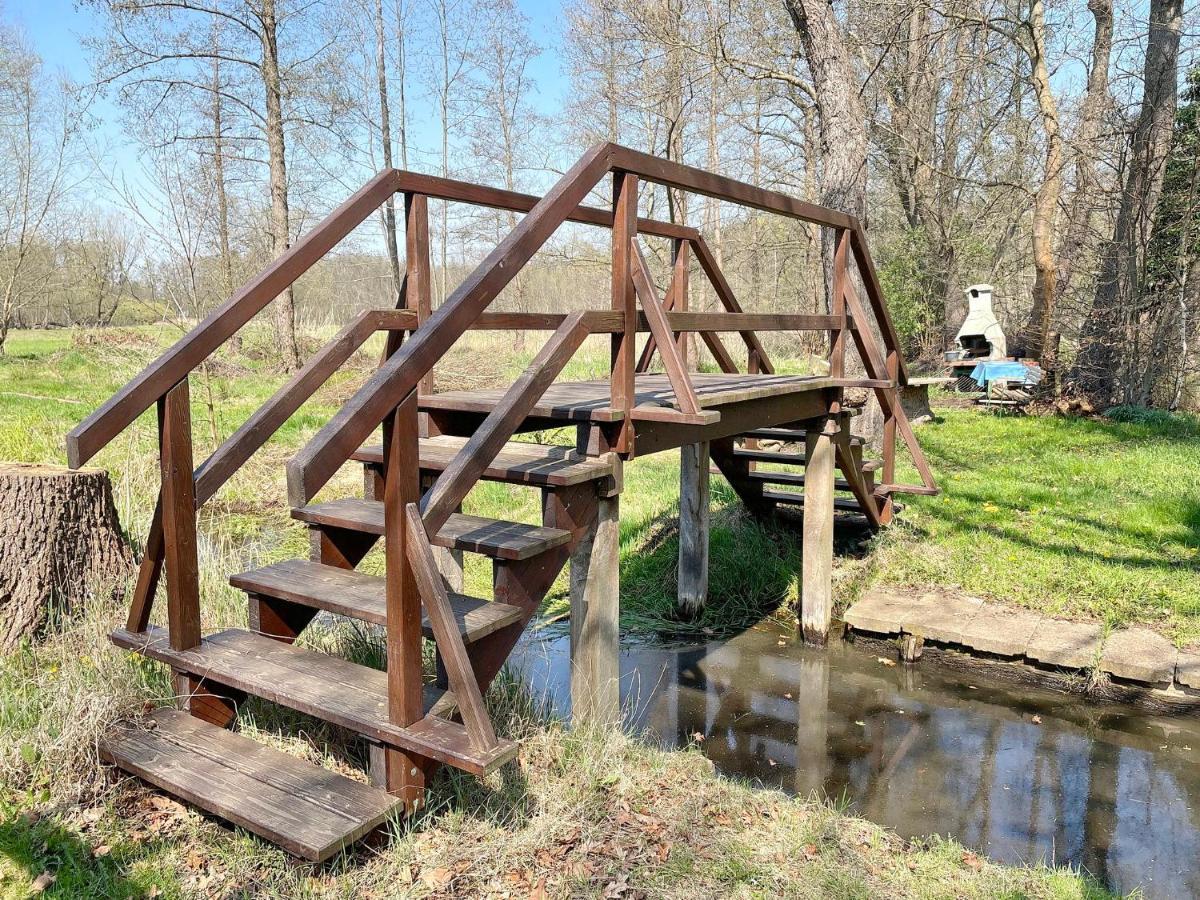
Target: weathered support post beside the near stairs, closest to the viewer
596	609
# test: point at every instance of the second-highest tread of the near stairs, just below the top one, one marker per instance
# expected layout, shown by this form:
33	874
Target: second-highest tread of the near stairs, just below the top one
491	537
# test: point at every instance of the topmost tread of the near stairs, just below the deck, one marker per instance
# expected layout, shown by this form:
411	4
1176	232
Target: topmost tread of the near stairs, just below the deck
518	463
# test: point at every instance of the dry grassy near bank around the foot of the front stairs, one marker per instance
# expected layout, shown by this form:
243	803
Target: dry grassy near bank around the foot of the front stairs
583	814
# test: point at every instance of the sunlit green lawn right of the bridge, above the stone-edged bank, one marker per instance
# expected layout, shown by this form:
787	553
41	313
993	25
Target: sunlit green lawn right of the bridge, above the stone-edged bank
1077	518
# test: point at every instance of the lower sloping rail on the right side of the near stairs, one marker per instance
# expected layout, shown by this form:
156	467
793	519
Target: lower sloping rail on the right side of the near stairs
470	464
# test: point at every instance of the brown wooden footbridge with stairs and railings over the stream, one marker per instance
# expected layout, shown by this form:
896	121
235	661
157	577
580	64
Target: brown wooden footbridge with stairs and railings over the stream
436	448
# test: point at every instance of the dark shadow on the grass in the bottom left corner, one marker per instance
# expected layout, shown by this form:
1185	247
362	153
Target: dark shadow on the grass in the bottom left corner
43	847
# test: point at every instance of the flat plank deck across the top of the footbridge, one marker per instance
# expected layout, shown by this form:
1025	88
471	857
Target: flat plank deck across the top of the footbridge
590	401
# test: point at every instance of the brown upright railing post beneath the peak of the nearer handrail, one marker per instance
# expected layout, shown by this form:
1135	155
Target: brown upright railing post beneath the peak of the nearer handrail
625	231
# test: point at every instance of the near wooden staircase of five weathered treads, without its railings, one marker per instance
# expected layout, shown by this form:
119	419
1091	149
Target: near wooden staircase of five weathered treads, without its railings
273	794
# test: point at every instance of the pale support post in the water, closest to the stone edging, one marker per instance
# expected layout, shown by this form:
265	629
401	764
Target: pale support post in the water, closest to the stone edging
817	575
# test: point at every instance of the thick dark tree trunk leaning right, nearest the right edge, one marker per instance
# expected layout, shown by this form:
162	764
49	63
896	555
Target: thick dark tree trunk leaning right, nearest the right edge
1101	357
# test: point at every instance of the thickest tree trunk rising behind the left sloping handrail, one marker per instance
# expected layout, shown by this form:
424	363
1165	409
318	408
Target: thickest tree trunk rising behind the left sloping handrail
281	229
